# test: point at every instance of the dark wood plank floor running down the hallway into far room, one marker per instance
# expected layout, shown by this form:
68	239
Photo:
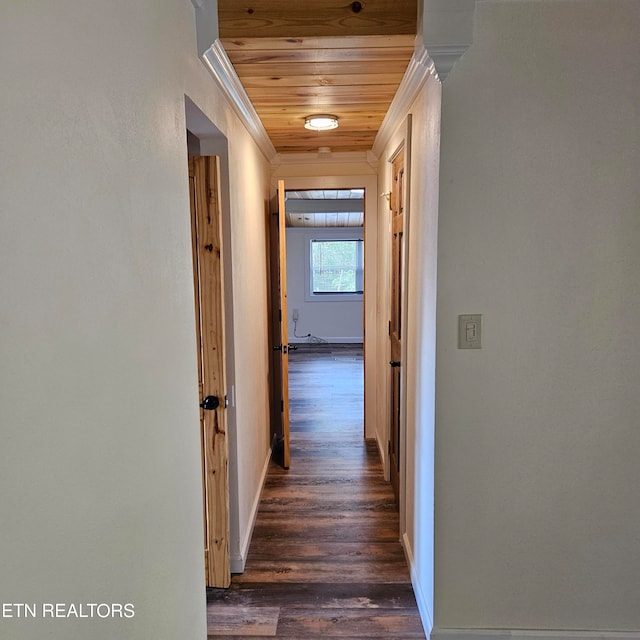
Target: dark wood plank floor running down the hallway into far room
325	560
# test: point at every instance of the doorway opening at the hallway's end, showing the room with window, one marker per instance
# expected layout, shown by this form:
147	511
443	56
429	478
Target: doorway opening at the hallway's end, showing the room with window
325	301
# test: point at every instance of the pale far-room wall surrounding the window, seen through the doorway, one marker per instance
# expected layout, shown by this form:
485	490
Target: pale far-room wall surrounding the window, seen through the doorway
331	320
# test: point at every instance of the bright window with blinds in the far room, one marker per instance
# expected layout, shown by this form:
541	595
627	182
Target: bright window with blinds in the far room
336	267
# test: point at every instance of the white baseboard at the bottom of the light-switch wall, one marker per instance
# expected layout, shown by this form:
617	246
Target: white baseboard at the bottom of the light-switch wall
530	634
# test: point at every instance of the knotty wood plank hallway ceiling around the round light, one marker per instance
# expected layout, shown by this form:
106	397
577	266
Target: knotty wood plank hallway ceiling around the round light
319	56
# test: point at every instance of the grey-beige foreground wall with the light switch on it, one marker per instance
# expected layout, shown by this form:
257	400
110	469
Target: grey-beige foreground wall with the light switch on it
537	434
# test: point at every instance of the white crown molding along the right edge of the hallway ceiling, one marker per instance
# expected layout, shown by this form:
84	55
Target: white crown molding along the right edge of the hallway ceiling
420	67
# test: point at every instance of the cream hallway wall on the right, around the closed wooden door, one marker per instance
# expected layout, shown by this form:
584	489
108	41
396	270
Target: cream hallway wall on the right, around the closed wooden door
421	140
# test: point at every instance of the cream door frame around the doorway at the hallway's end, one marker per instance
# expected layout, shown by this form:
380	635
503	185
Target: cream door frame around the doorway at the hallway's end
370	320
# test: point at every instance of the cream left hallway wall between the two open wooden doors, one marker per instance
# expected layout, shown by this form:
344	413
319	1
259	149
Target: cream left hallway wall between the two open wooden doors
249	203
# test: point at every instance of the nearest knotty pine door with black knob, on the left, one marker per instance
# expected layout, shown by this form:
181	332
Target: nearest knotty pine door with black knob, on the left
209	301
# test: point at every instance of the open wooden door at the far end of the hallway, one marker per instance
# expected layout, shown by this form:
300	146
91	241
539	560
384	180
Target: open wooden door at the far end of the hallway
279	331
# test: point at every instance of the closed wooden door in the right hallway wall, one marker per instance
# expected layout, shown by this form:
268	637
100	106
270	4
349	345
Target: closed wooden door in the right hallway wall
395	324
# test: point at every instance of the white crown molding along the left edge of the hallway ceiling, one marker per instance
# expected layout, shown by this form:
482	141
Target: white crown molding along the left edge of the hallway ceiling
218	63
